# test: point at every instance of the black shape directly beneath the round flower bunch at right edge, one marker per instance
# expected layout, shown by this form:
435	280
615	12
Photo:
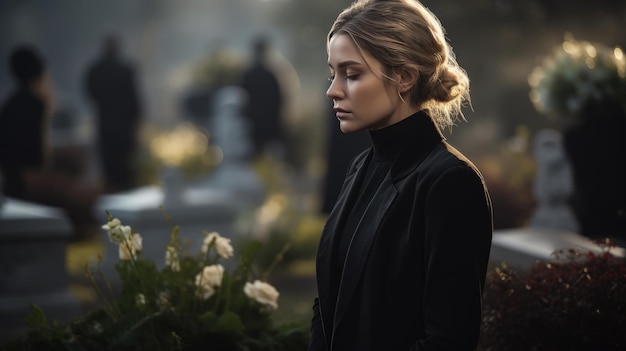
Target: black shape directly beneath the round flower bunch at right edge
598	156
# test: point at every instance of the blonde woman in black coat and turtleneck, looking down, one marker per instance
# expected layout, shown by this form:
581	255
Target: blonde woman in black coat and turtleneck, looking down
402	259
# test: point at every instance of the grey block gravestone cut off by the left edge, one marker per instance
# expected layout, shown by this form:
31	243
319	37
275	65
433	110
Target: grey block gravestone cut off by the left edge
33	243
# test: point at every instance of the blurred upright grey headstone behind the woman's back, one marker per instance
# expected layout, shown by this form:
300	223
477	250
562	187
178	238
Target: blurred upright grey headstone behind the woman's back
554	184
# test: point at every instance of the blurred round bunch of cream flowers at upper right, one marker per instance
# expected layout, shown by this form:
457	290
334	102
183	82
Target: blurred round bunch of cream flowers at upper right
578	74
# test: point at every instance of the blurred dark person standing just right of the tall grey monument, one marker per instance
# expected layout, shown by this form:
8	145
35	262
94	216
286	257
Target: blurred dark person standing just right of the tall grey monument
265	100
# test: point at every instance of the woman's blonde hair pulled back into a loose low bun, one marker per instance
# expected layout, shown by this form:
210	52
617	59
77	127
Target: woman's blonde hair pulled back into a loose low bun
405	35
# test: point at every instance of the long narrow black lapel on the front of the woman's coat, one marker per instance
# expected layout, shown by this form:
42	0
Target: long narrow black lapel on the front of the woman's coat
361	243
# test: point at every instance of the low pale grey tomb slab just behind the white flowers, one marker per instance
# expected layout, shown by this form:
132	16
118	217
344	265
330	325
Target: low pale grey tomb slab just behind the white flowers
195	210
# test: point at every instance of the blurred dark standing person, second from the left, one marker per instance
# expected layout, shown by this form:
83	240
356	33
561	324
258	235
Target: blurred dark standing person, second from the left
111	85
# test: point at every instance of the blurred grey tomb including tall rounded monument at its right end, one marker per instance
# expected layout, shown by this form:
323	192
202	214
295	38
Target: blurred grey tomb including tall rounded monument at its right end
210	204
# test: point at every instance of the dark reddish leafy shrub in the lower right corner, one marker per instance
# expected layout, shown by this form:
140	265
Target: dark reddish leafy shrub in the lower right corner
574	303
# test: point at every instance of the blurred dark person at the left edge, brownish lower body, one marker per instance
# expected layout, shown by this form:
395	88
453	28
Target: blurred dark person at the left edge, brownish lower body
28	172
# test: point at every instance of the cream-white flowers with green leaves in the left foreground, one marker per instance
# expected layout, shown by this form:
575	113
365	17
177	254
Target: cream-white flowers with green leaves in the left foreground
192	303
